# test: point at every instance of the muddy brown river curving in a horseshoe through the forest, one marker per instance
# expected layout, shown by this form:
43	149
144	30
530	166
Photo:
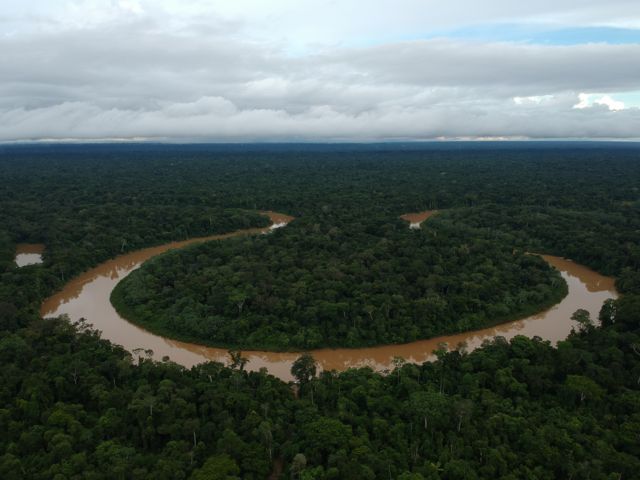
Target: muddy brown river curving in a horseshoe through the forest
87	296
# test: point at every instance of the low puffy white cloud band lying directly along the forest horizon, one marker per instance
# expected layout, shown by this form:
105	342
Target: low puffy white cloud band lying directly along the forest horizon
220	120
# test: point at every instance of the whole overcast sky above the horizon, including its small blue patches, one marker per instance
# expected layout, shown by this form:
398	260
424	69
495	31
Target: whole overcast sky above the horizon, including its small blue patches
307	70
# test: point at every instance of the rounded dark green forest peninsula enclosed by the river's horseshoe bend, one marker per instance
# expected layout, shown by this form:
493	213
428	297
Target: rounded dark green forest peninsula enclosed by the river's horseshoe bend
319	283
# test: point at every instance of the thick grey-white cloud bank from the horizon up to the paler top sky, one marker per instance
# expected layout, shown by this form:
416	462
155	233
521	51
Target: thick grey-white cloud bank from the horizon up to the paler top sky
135	74
